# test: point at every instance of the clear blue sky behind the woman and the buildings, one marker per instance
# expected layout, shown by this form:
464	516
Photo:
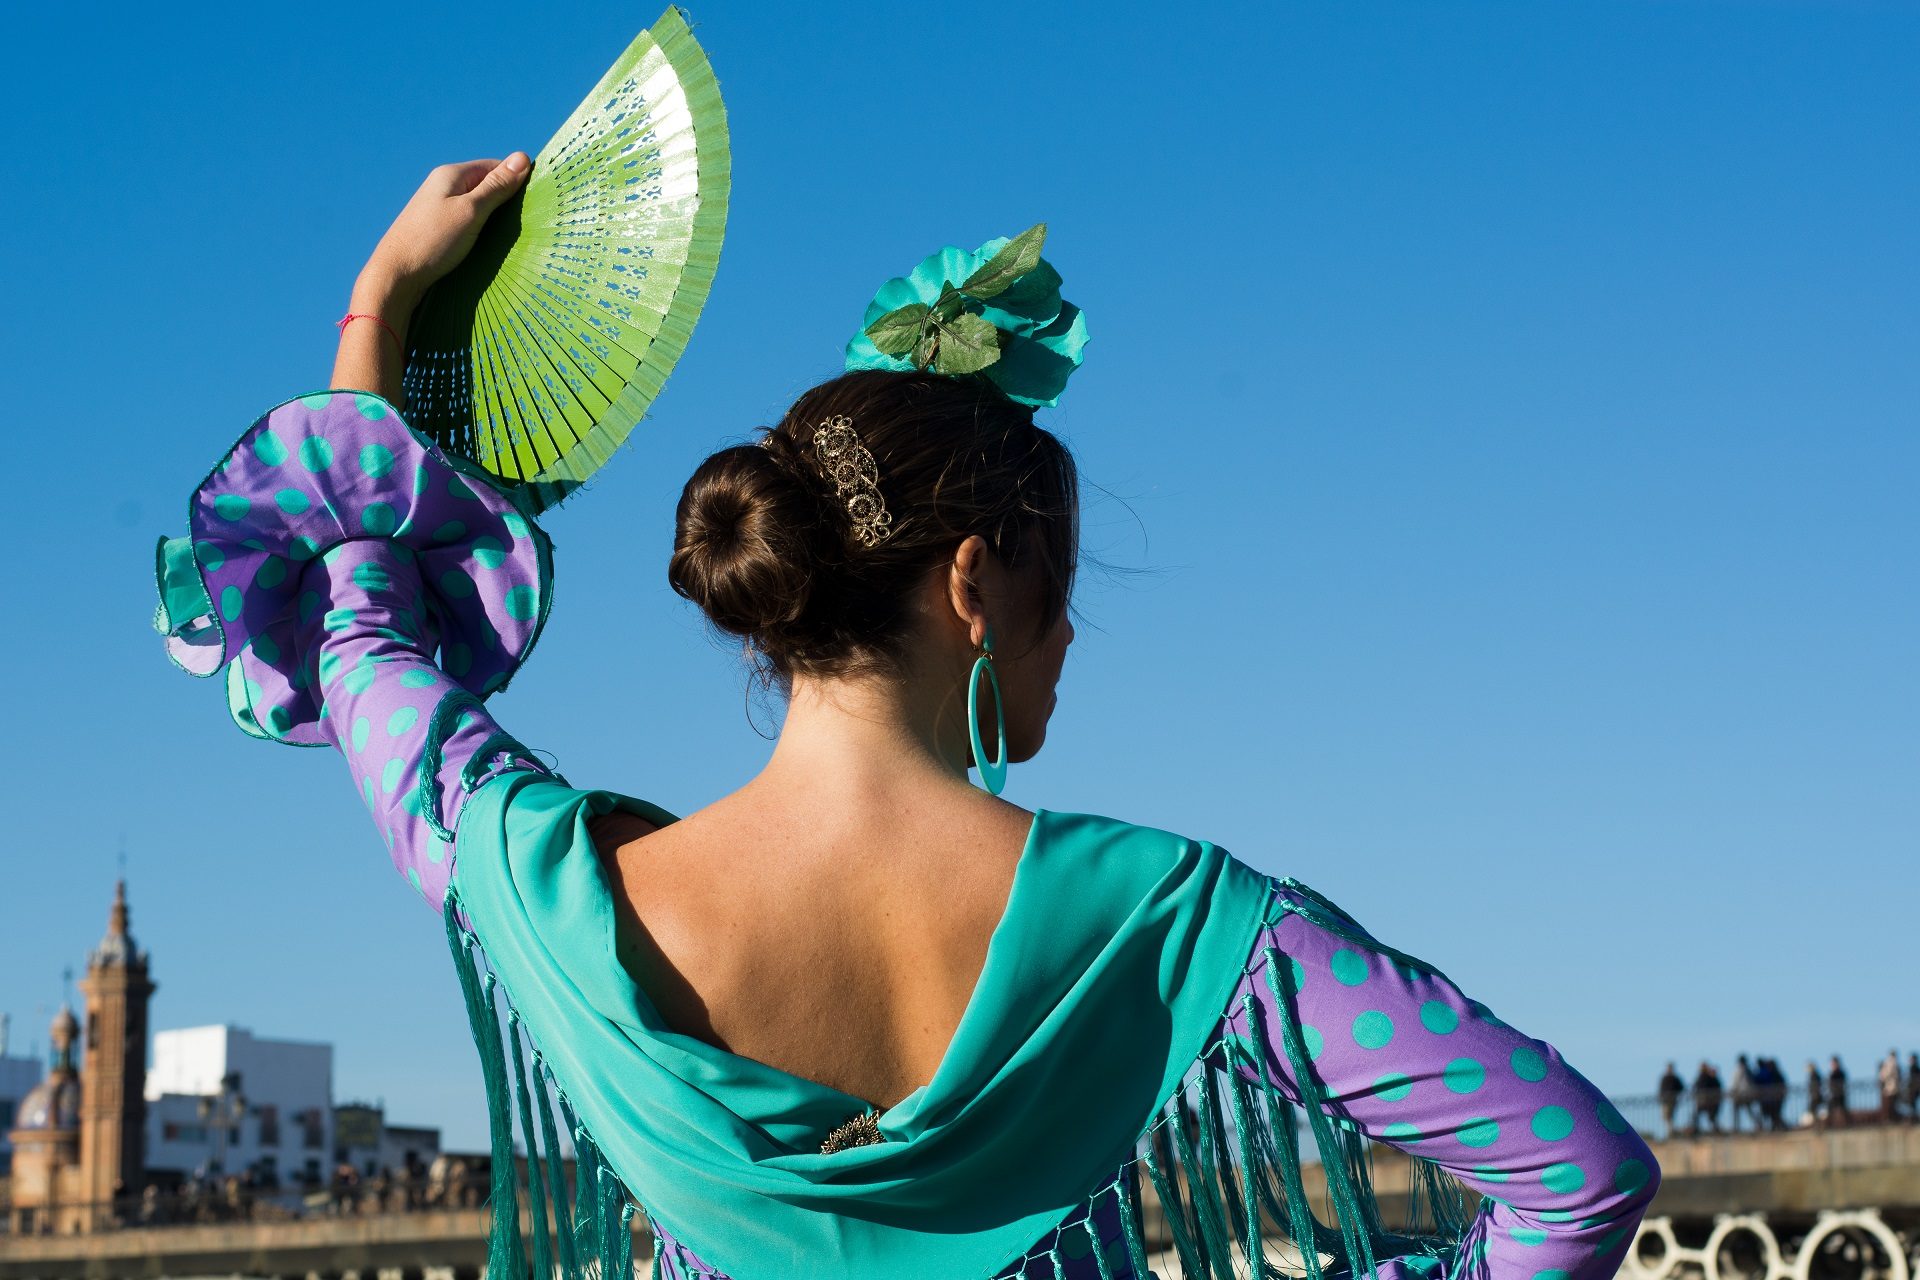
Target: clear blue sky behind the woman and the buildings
1514	410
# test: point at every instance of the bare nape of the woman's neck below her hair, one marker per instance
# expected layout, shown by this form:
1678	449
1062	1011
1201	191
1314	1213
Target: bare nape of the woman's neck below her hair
878	738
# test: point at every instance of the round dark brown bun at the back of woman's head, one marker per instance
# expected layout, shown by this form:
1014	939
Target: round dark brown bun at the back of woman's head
746	542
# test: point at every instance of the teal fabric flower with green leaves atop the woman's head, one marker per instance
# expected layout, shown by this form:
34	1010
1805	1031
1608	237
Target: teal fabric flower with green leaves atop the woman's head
996	312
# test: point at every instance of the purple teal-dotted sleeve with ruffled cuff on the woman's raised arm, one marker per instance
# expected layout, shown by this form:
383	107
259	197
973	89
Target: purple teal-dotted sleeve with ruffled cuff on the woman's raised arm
333	556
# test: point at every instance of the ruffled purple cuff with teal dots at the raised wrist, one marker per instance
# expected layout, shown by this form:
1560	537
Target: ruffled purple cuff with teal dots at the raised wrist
308	477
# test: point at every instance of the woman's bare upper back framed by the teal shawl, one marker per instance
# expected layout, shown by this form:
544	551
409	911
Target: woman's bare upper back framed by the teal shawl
840	949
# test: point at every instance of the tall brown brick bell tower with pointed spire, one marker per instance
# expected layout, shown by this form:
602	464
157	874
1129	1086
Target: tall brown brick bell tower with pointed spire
114	1099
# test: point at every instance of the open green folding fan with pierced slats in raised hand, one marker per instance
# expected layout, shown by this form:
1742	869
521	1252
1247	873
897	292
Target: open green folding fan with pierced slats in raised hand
540	352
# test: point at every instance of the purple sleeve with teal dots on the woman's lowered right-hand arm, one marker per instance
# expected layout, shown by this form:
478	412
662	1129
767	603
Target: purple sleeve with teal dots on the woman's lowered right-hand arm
1412	1062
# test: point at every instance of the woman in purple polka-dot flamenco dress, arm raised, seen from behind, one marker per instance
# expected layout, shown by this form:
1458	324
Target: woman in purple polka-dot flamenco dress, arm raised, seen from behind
859	1018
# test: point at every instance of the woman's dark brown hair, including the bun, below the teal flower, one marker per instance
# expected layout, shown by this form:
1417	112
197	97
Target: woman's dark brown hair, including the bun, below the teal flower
765	546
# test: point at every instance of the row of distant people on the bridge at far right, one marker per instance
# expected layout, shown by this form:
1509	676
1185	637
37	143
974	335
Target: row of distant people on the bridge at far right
1760	1093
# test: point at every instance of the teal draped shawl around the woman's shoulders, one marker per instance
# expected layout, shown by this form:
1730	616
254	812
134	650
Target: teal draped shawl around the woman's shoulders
1103	984
